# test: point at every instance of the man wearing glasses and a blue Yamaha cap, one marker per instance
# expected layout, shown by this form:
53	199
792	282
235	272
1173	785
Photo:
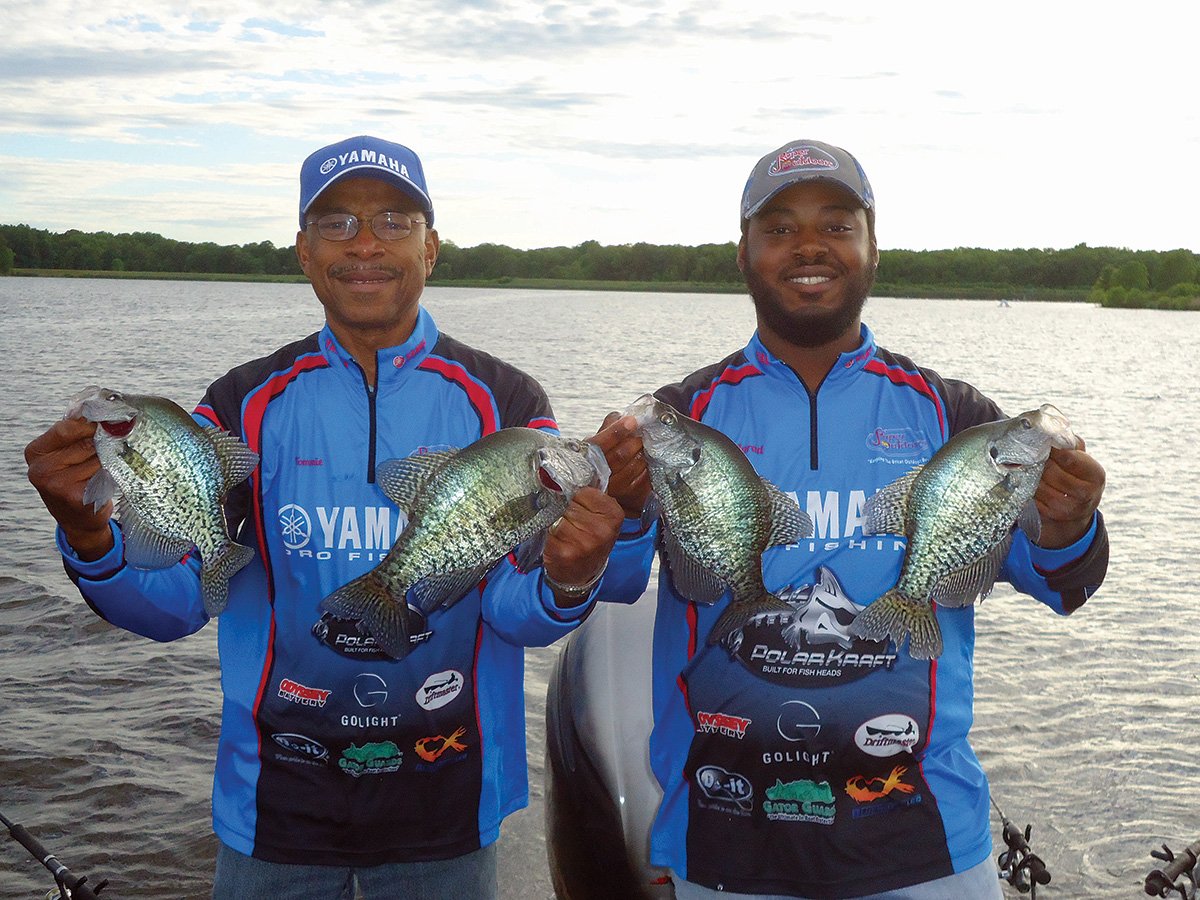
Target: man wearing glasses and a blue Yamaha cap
340	767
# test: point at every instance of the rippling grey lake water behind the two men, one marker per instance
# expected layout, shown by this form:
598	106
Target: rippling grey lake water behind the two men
1087	725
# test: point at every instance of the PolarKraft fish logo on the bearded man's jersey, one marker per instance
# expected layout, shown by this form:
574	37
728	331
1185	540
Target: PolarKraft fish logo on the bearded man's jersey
813	647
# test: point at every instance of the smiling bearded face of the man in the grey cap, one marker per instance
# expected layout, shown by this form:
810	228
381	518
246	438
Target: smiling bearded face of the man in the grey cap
809	265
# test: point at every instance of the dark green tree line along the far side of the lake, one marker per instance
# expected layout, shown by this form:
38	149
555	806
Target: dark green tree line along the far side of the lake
1101	274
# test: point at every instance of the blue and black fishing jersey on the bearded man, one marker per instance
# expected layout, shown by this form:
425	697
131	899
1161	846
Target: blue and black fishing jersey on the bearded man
812	763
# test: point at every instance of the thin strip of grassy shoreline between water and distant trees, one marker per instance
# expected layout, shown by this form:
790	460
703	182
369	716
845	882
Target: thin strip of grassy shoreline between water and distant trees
941	292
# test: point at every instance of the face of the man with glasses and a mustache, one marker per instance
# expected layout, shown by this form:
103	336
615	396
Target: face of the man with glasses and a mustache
370	287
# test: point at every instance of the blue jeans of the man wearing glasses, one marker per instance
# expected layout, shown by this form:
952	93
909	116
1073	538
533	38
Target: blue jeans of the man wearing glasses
242	878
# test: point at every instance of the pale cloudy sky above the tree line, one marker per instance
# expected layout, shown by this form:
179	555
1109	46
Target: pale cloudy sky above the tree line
1004	125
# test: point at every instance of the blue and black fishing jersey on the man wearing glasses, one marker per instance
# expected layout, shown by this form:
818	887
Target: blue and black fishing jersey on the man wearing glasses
332	753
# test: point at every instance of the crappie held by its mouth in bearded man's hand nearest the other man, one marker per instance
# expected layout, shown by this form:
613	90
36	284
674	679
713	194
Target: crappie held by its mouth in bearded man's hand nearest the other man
719	515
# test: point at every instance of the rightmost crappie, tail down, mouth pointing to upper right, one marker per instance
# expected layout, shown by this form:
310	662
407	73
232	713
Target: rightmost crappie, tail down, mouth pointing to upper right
958	513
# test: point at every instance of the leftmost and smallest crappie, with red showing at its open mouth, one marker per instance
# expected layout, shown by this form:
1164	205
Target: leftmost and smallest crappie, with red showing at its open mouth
167	478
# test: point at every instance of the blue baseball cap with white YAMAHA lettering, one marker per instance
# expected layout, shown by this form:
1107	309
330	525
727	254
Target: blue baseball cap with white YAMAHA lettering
367	158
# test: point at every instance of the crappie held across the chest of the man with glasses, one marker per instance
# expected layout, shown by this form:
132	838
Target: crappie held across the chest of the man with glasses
466	511
